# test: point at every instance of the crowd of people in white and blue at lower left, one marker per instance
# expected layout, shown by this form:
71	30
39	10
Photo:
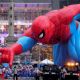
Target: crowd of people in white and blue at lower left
19	71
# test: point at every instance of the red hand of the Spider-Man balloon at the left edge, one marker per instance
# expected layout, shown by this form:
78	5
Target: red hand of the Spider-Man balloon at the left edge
6	56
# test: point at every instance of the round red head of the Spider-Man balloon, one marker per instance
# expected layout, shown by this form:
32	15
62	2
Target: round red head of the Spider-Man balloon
43	30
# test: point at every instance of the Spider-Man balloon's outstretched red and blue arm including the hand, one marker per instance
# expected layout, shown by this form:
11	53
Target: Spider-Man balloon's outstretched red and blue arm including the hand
23	44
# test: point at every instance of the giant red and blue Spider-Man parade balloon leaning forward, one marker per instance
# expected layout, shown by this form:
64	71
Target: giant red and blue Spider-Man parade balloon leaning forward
61	28
